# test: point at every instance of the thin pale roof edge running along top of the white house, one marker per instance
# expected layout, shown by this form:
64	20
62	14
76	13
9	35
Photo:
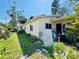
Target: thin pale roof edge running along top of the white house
37	17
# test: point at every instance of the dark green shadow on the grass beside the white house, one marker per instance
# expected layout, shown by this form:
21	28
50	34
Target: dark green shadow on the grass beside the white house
27	43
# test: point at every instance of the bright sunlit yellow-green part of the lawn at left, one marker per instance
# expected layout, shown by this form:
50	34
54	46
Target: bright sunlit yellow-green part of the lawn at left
10	48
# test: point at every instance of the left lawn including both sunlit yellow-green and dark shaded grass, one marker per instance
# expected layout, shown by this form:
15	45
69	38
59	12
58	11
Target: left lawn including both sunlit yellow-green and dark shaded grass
16	45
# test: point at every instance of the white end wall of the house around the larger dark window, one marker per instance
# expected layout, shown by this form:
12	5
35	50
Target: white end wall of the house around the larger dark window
46	33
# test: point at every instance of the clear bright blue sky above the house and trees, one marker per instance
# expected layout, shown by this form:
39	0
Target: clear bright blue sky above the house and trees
30	7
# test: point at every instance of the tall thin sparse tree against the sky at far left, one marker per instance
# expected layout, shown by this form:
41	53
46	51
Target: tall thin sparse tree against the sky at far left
12	14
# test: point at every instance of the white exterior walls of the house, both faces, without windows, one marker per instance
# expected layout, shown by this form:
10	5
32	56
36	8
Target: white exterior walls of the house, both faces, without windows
39	29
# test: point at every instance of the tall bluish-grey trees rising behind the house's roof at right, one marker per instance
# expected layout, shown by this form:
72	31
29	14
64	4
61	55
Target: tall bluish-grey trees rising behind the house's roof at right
59	10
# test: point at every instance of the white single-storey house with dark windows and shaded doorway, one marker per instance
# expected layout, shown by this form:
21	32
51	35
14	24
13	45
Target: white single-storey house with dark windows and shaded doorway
43	26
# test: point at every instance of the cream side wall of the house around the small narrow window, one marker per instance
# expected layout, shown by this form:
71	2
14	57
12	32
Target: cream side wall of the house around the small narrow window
35	25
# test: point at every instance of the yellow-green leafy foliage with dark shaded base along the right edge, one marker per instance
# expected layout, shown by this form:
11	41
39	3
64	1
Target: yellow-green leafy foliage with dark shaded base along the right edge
73	30
